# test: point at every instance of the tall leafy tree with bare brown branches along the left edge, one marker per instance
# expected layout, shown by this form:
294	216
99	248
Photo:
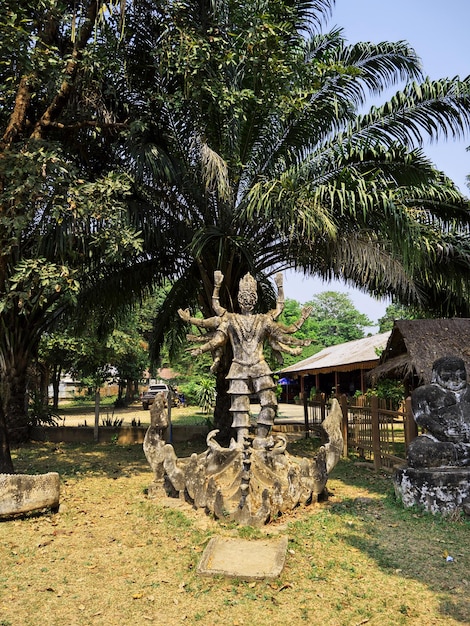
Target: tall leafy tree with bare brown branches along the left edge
64	220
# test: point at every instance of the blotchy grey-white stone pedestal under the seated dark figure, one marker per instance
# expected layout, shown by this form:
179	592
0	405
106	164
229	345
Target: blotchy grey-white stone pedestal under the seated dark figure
438	490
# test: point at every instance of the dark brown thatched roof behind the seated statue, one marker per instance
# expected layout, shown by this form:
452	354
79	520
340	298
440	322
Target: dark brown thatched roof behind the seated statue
414	345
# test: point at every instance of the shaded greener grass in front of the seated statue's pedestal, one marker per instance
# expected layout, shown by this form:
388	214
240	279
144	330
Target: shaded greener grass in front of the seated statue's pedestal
407	543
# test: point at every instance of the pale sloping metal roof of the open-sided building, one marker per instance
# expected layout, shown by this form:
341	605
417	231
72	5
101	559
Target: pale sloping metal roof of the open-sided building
345	357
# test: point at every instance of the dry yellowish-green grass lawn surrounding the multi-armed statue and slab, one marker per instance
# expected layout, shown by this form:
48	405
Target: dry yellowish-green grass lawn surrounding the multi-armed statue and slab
112	557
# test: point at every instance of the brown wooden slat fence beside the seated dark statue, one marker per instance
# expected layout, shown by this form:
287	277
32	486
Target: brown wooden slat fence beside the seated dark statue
370	429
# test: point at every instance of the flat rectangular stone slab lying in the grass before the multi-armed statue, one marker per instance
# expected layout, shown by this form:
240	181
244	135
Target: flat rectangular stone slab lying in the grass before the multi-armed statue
244	559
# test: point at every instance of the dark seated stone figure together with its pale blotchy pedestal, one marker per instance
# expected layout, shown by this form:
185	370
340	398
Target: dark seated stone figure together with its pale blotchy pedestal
438	476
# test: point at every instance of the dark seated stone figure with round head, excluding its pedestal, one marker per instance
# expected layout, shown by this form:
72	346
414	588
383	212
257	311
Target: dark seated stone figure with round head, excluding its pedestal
442	408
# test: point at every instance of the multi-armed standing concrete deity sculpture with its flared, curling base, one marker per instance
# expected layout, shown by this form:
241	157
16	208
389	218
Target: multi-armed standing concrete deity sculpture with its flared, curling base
254	479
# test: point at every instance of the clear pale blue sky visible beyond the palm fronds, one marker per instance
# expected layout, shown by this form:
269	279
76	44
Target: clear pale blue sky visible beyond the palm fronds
439	32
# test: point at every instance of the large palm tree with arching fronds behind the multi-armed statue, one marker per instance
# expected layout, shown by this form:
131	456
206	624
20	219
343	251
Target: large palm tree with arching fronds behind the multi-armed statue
252	155
